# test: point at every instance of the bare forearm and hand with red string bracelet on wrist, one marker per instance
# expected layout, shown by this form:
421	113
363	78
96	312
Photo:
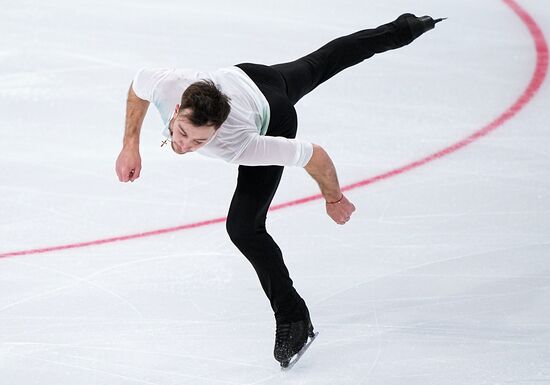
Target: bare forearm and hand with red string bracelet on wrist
321	168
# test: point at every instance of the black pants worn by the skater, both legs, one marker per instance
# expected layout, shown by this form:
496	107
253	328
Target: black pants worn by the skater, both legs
283	85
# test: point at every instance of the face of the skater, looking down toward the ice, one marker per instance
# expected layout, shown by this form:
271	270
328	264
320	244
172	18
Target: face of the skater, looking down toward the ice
186	137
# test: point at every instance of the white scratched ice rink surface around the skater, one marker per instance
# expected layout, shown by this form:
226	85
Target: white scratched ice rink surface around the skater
441	277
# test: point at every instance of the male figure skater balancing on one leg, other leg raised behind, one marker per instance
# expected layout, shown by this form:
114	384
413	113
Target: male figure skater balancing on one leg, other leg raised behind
245	115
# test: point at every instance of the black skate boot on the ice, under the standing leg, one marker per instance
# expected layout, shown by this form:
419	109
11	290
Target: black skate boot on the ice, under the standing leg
290	338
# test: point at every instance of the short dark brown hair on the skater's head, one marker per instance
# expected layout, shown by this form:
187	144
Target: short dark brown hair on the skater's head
209	106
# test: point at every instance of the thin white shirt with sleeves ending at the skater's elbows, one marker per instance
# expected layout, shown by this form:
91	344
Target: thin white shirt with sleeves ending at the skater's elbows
241	138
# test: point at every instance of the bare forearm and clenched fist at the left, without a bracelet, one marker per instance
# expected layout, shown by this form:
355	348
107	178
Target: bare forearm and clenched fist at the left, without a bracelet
128	164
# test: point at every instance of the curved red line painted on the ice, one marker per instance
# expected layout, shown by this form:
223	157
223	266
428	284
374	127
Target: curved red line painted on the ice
534	85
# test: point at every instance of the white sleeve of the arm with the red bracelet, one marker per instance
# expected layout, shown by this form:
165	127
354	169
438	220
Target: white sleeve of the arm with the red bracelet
274	151
